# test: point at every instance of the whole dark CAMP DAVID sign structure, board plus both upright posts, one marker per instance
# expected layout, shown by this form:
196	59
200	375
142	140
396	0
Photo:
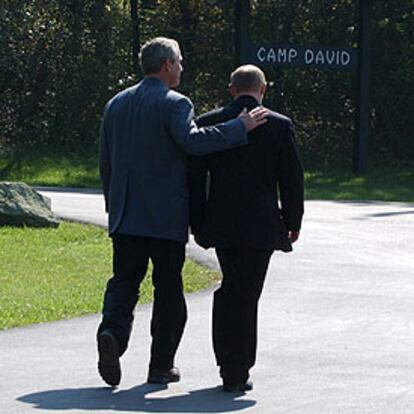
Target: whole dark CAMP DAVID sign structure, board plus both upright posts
320	57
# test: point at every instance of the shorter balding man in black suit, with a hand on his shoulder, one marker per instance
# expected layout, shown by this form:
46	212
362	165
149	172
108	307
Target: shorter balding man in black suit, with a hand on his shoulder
234	207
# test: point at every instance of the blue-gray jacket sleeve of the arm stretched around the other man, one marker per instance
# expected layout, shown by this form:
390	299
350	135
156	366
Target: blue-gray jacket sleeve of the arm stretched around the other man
201	141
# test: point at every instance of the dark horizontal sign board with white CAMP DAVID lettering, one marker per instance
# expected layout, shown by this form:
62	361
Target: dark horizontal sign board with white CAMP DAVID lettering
304	56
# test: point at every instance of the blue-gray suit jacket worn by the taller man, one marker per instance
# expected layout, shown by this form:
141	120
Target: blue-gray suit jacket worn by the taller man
146	134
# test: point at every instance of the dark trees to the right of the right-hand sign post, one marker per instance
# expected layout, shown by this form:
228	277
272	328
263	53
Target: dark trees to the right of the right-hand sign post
393	78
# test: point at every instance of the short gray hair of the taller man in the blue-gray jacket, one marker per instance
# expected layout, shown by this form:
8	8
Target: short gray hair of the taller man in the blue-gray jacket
156	51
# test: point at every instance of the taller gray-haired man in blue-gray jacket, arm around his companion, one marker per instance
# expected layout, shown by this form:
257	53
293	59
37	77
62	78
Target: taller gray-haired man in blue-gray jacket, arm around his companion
146	134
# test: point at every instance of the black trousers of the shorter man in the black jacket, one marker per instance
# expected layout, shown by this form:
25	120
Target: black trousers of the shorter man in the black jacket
235	310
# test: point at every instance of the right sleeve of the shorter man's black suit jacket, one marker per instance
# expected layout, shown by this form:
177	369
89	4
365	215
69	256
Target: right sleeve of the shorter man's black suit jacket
290	177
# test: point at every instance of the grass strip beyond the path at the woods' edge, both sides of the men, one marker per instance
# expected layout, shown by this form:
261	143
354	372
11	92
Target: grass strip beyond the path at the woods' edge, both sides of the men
385	184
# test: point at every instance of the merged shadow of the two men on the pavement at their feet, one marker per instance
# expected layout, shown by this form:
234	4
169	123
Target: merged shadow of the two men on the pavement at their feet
207	400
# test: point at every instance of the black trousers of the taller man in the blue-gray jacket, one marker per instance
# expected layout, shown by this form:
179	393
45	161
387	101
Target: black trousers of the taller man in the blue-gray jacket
131	255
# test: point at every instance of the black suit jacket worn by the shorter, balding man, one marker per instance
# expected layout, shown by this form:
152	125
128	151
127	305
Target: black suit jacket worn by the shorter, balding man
234	194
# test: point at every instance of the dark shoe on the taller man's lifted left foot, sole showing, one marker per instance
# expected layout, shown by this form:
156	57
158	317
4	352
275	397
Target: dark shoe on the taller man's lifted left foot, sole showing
108	365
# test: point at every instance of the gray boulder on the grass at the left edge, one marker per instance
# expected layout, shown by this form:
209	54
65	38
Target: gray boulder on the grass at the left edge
21	205
